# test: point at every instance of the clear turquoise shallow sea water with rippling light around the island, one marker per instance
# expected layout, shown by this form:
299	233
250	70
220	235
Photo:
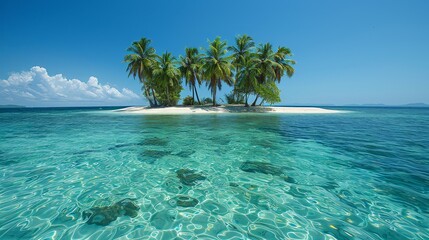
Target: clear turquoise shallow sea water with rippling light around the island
357	175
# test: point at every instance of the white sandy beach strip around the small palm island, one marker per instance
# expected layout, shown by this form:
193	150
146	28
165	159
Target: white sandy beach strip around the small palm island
223	109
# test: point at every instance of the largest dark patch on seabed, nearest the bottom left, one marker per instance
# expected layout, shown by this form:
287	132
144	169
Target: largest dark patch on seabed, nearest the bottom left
103	216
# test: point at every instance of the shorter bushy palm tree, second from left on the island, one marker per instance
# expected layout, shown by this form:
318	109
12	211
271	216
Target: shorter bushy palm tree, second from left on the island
166	74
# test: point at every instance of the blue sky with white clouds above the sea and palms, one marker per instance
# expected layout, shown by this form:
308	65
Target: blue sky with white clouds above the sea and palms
347	52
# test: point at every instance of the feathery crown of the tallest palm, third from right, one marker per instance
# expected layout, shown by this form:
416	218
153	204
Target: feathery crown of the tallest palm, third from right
243	47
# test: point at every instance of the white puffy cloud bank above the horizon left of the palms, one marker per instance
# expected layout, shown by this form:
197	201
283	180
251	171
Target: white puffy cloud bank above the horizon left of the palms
37	88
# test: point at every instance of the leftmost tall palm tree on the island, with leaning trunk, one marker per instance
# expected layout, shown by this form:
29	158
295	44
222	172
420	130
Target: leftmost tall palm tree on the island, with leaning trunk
140	63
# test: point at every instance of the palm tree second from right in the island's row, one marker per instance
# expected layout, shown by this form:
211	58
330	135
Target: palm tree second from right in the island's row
266	64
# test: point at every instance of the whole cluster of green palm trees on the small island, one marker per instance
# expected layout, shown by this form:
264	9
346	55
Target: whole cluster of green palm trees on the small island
252	70
